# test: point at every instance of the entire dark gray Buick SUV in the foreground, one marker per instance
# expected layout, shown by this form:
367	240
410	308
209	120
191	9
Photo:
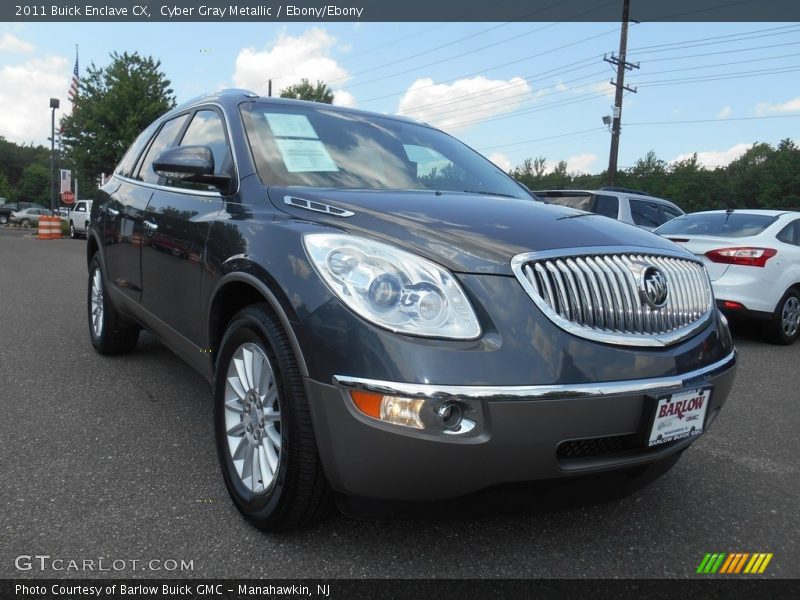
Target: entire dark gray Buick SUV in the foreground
384	314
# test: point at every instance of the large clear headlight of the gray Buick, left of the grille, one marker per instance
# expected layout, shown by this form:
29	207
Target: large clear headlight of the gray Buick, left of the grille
392	288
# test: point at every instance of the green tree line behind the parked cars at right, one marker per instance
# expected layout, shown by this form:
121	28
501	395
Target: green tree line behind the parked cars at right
763	177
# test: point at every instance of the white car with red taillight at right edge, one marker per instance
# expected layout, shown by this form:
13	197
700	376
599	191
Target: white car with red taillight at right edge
753	260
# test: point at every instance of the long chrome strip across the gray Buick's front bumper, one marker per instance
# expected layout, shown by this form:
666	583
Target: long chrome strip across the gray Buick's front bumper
538	392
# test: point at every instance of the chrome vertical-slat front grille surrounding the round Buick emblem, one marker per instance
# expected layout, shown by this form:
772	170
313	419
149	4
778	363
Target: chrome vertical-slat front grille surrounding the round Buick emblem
603	295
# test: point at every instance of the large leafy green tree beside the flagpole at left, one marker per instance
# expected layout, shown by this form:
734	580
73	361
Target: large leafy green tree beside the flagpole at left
114	105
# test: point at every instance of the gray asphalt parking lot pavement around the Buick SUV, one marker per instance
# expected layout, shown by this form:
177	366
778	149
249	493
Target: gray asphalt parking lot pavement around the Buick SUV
114	458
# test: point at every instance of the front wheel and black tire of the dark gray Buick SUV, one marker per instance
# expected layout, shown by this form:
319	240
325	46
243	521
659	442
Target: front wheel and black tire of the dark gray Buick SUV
265	438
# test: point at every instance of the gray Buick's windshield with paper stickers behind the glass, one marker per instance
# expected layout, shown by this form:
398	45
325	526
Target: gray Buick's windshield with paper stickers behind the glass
321	147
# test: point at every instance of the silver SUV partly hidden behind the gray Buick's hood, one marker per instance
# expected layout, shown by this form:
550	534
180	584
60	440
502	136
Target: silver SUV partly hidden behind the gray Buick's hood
629	206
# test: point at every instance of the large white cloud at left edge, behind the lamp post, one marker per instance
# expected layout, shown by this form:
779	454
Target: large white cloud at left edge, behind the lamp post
25	97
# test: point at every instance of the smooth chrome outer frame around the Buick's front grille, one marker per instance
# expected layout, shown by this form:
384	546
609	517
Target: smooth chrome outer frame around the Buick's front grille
623	339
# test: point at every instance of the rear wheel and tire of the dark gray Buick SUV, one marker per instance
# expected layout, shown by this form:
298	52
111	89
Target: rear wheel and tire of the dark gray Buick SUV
107	330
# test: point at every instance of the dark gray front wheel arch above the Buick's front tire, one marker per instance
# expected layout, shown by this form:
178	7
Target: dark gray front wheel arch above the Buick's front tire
236	291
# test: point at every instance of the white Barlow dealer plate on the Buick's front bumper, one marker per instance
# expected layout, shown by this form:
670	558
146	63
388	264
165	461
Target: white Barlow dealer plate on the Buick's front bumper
679	416
